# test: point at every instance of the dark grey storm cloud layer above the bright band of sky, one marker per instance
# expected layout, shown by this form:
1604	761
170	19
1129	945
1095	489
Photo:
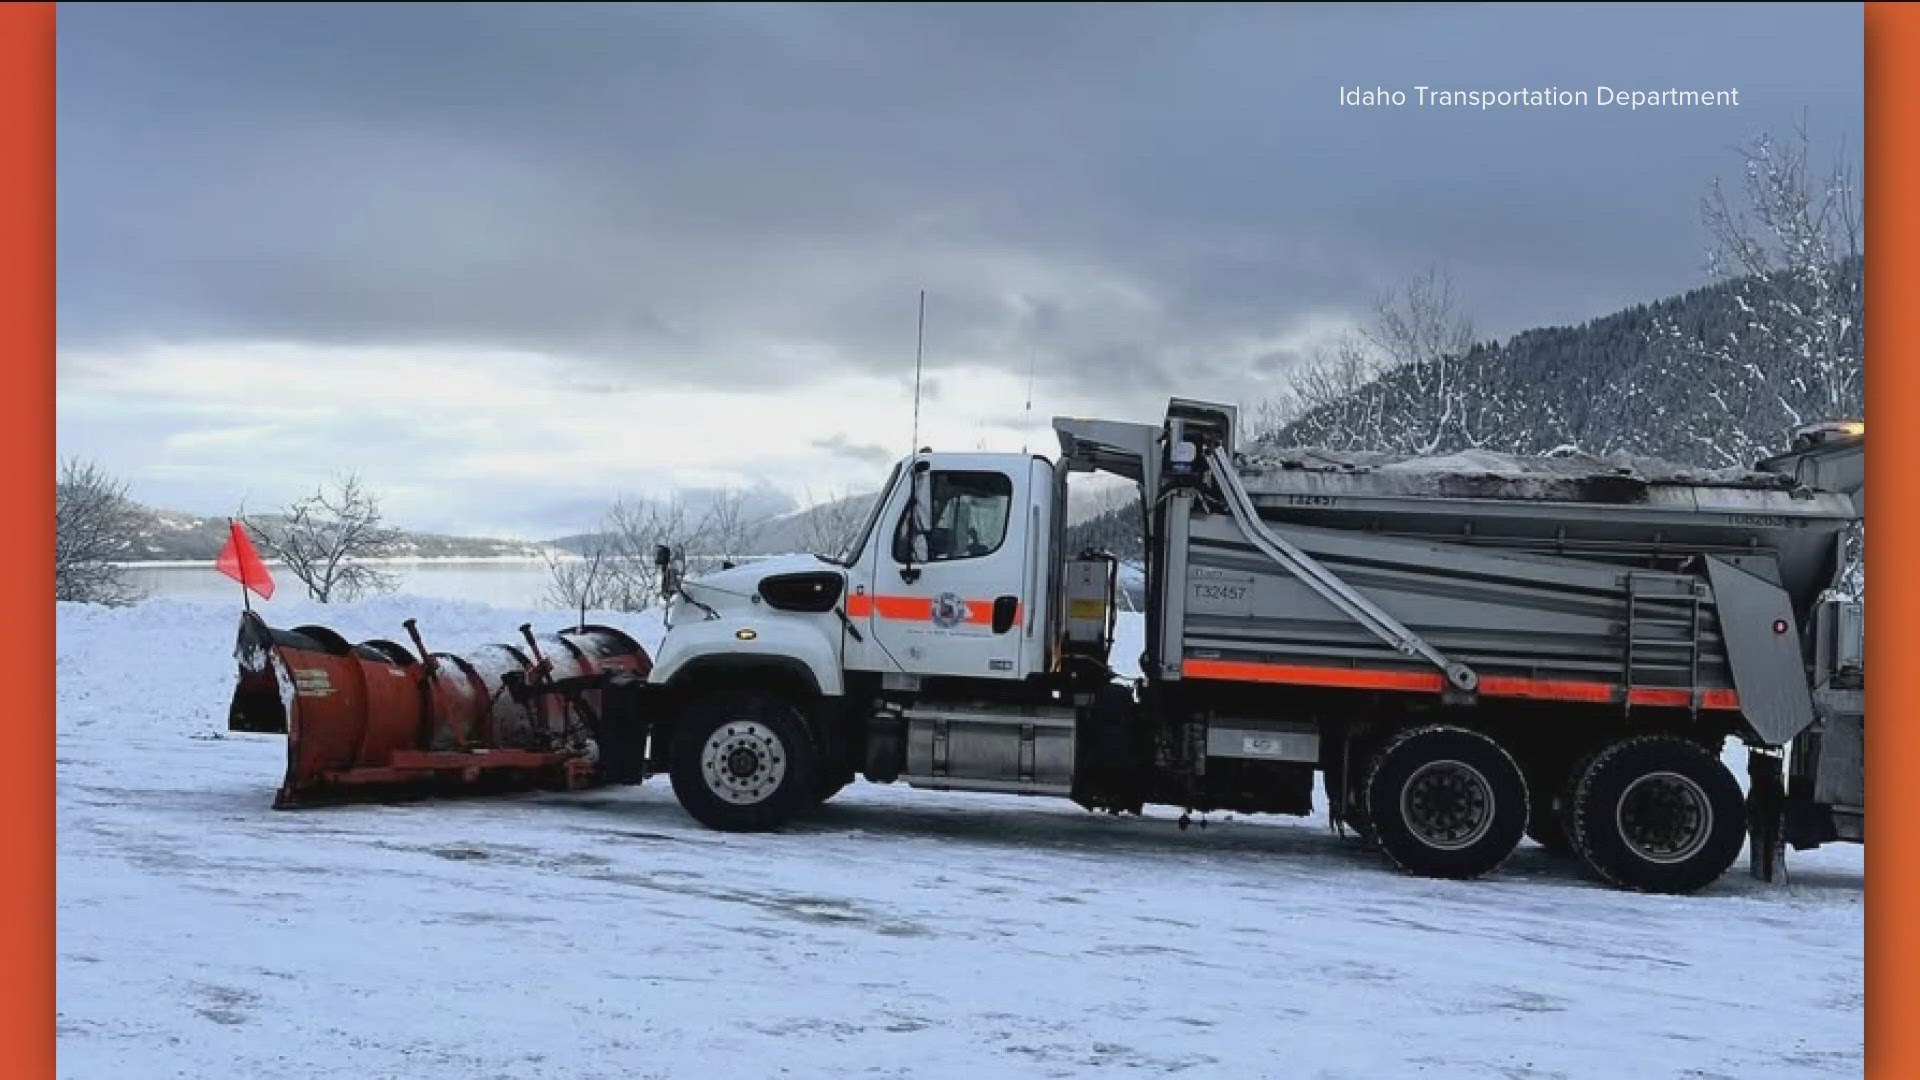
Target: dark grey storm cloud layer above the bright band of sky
702	195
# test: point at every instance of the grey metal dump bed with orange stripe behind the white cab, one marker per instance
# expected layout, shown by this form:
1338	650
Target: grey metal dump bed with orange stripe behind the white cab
1618	583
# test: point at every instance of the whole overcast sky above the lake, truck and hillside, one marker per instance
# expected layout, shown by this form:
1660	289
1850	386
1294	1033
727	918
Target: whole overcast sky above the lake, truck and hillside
510	262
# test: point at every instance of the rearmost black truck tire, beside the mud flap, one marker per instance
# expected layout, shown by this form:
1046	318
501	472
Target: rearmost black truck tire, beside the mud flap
1658	814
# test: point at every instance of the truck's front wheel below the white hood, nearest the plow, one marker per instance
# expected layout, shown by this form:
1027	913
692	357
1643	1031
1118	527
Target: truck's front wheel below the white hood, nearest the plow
744	762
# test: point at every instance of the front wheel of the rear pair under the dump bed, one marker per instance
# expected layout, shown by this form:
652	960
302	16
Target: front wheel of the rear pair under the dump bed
1445	802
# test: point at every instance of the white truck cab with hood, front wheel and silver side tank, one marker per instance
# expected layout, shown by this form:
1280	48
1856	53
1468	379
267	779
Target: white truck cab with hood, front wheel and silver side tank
923	652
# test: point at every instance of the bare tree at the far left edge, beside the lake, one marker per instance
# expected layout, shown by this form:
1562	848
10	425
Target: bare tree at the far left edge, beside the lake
95	528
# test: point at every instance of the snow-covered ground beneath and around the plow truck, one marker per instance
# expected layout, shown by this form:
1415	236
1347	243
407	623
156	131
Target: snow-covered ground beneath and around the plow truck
896	935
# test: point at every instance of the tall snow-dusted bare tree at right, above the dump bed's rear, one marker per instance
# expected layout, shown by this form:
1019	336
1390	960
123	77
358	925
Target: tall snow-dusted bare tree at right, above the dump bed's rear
1790	243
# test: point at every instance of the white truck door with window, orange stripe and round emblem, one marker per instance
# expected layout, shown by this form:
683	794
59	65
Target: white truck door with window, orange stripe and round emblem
957	606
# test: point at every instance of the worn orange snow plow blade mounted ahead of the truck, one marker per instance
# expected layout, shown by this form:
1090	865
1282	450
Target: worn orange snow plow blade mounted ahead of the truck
375	720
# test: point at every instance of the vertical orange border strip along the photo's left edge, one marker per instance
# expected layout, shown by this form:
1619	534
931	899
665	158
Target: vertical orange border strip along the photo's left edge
28	405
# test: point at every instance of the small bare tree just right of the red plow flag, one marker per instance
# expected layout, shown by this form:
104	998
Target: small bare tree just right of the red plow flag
331	539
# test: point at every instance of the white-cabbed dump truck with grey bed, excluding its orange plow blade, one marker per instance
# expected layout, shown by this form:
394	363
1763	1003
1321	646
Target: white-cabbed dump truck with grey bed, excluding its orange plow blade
1462	652
